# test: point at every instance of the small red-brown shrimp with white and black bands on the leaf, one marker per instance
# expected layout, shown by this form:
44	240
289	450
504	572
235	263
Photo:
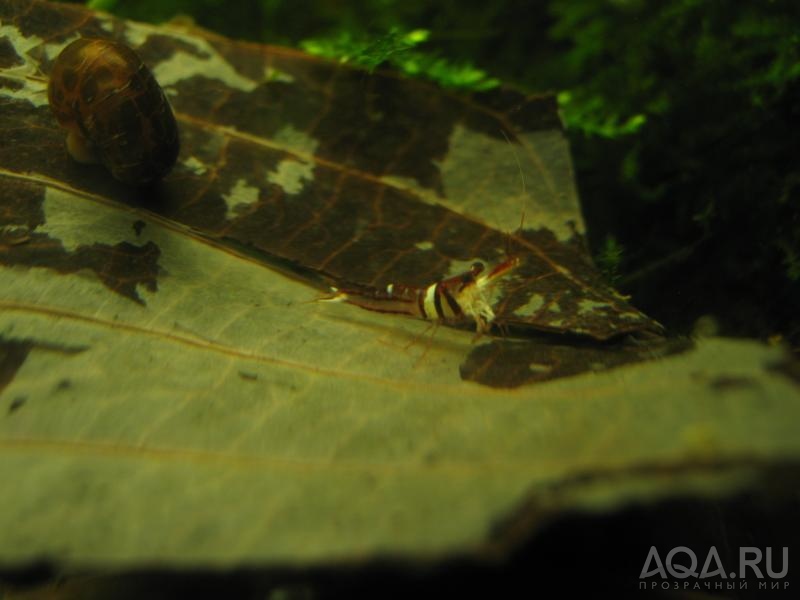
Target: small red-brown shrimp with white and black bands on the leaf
462	298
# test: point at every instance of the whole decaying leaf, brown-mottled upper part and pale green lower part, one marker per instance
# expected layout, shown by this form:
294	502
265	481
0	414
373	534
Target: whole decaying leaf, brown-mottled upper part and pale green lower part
171	392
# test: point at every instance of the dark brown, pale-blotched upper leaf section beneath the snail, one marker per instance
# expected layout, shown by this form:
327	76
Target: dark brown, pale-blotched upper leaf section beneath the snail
339	176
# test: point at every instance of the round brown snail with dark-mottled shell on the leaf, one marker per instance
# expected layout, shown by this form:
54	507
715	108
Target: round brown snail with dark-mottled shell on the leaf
115	112
